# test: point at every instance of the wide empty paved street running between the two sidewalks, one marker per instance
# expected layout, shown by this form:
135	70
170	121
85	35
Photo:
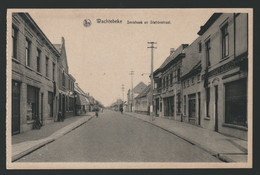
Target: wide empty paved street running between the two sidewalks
113	137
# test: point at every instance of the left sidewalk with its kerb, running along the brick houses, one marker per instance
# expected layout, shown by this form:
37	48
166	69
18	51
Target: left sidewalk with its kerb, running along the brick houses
29	141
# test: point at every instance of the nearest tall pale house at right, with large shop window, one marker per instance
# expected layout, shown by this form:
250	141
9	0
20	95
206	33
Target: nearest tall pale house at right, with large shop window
224	40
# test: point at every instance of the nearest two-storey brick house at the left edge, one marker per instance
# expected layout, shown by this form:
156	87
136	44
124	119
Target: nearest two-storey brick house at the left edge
34	73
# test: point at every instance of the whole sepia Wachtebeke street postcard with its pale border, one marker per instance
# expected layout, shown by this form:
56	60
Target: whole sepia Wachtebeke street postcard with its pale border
129	88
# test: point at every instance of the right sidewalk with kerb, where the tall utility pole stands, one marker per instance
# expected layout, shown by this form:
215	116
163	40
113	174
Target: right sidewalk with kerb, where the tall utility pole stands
228	149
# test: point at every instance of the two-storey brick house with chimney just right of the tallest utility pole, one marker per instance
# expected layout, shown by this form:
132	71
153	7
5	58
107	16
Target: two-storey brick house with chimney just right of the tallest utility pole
167	85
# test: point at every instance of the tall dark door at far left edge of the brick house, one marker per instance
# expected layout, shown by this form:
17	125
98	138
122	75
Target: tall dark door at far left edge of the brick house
15	108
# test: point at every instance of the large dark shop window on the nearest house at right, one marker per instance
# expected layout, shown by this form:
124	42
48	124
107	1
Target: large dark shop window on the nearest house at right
236	102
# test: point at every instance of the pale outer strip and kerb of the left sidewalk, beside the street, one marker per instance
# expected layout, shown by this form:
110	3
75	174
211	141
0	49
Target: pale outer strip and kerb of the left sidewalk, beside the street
31	146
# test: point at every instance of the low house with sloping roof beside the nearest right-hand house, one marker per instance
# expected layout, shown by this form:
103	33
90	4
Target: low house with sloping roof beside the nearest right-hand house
191	83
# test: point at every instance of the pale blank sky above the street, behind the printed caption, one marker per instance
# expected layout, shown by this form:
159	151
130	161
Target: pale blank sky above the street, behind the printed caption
101	56
